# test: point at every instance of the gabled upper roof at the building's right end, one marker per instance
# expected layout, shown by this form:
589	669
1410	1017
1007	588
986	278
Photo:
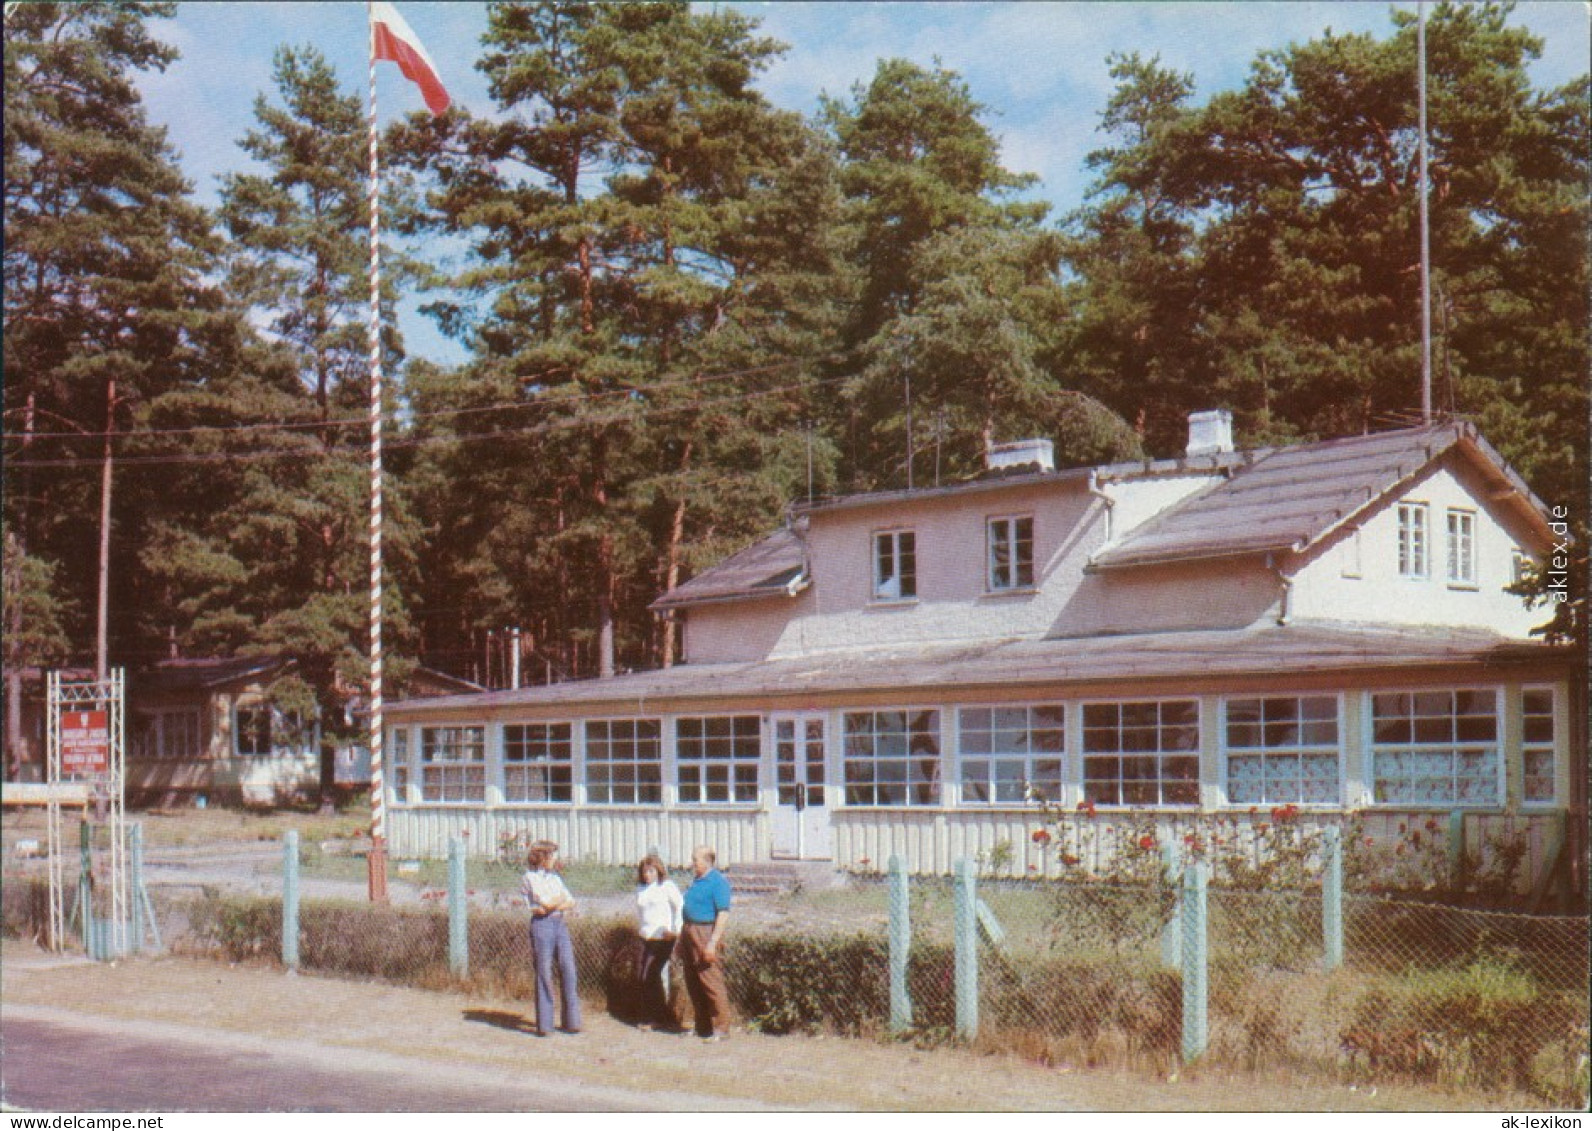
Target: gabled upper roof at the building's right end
1289	499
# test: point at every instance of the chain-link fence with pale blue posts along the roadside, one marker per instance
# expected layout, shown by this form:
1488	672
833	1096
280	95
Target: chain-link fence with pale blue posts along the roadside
1064	973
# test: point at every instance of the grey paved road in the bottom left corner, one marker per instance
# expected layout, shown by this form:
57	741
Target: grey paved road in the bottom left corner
60	1063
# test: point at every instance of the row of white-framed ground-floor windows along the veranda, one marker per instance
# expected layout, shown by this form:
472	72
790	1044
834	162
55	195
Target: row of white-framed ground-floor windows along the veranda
1427	748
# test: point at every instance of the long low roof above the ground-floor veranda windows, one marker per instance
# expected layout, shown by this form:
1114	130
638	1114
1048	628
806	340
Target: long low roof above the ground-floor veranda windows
932	670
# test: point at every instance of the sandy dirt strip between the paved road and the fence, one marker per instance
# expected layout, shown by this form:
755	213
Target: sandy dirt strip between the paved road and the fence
330	1020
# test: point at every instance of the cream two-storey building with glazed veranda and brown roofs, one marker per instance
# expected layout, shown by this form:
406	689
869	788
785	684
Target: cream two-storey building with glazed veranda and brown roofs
1325	625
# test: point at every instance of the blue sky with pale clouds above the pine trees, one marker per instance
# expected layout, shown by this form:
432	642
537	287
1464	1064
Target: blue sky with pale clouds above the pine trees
1040	69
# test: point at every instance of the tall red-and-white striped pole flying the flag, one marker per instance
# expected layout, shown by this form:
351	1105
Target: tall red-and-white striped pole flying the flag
378	859
